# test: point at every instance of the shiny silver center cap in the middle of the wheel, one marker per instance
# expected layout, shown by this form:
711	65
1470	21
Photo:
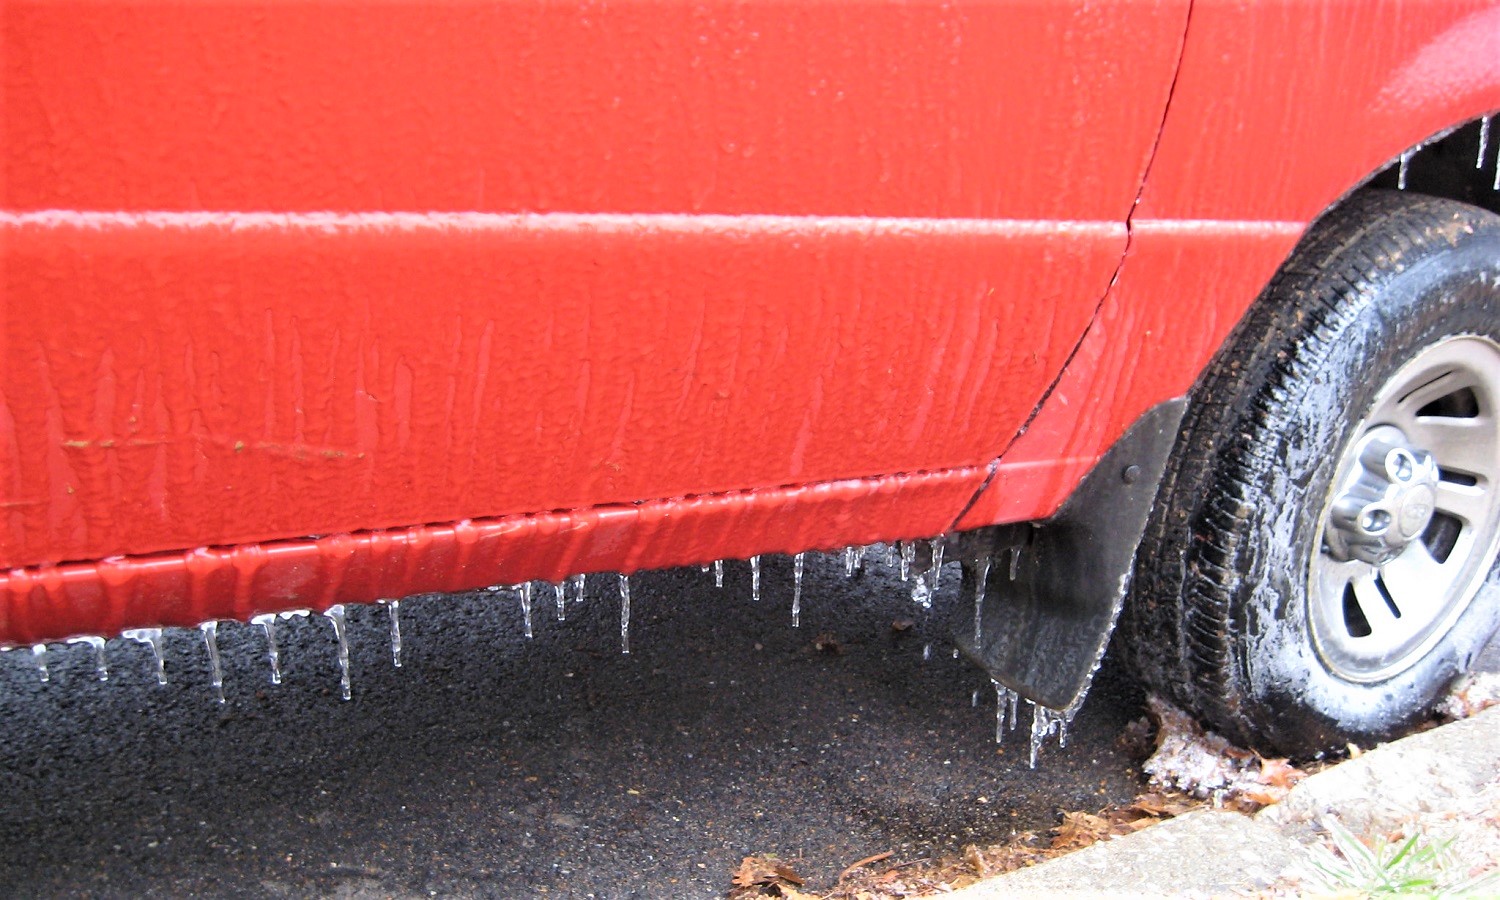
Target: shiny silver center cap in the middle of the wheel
1385	500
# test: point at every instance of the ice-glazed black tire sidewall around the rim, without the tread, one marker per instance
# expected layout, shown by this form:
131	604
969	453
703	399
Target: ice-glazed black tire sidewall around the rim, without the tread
1295	703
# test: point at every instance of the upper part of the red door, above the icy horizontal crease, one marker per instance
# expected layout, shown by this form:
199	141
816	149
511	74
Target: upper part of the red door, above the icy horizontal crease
950	109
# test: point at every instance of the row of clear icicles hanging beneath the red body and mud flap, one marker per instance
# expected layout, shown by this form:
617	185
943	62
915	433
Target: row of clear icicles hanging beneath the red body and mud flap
902	557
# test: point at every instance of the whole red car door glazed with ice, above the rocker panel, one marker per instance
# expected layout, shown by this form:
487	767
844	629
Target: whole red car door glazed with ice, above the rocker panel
283	269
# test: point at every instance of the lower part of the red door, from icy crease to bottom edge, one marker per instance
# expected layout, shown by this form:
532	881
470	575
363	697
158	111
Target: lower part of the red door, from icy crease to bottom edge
196	379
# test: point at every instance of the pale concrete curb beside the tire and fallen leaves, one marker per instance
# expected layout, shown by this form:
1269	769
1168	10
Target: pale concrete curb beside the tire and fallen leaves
1439	779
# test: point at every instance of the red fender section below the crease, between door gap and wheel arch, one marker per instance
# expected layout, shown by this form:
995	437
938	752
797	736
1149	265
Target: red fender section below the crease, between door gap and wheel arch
1181	290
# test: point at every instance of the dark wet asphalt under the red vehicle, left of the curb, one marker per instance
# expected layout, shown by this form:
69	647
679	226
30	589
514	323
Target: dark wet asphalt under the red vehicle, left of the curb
491	766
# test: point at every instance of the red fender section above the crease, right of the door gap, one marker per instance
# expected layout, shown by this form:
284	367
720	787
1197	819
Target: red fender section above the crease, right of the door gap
1283	106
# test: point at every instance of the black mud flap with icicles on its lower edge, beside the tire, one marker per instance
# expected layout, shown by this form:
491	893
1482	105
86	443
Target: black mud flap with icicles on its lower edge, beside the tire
1054	590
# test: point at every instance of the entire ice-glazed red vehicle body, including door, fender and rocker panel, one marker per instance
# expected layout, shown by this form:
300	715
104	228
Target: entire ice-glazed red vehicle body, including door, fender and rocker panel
314	304
